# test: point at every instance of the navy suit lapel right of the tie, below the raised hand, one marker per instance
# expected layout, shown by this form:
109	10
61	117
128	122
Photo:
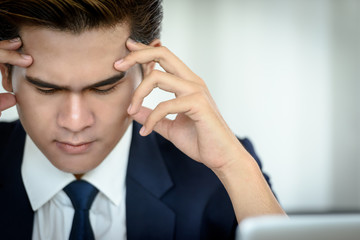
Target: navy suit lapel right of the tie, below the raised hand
147	181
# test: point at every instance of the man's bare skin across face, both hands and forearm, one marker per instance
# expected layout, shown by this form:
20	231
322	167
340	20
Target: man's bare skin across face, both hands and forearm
76	114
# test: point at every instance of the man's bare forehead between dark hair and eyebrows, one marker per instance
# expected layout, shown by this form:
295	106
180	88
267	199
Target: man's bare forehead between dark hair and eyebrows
64	56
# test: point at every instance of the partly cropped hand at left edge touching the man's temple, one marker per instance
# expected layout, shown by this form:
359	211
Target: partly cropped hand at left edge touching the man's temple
9	55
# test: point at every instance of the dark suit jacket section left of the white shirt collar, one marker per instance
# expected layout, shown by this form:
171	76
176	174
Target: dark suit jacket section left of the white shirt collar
13	198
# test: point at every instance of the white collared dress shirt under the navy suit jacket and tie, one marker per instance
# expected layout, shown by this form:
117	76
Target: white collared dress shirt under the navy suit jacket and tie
53	209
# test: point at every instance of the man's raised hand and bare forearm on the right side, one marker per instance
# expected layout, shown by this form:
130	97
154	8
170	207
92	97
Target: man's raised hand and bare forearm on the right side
199	129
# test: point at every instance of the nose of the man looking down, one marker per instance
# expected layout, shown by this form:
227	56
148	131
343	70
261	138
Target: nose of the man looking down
75	114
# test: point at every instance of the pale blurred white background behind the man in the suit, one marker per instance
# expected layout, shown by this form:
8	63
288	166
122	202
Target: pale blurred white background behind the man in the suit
284	73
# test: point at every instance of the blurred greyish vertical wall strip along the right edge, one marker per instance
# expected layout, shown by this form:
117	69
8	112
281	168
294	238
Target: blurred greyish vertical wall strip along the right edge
345	82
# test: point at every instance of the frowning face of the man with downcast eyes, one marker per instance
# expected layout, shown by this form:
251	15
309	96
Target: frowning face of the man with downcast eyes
71	100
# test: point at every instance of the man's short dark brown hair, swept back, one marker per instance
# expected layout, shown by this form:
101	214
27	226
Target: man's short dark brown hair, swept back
143	16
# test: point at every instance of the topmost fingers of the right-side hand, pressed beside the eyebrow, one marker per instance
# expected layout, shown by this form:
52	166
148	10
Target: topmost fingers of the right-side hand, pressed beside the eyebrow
141	54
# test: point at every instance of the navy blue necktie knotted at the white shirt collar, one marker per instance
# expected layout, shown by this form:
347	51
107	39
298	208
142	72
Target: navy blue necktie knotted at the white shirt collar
82	195
